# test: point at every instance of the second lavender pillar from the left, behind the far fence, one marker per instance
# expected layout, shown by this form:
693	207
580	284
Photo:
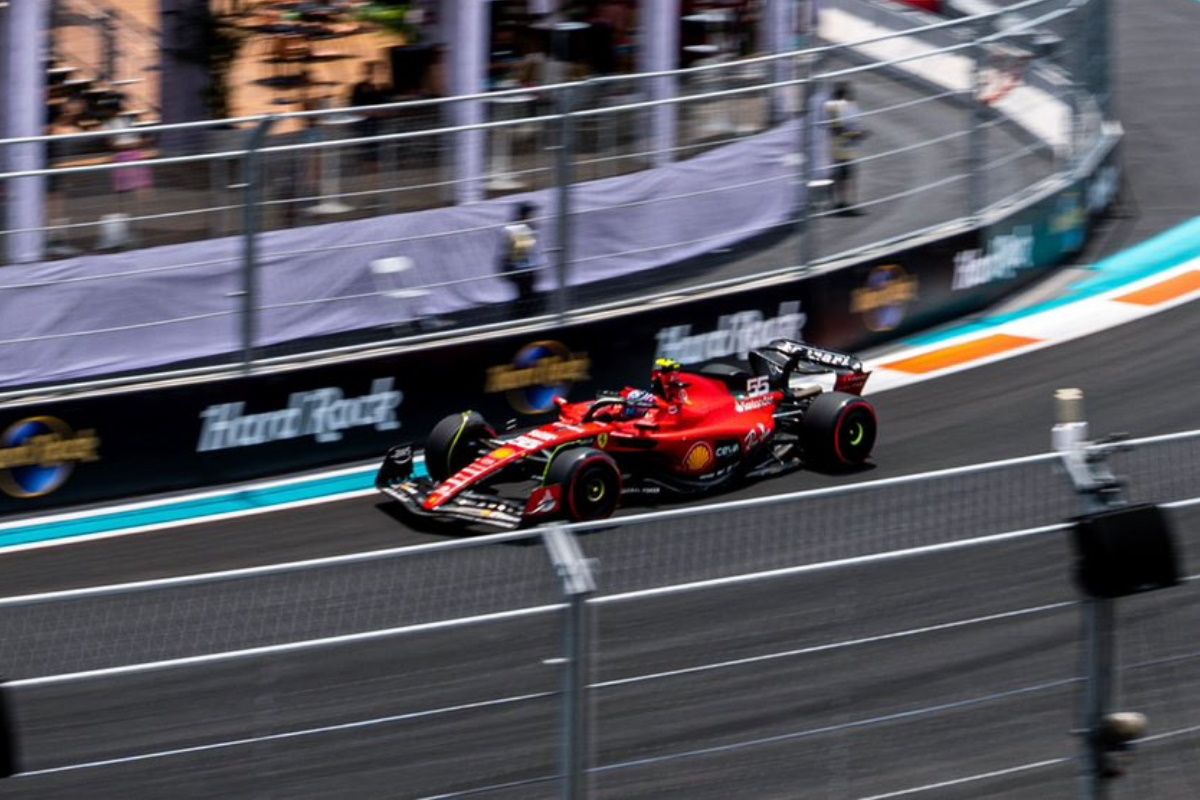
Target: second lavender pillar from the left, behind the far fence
467	22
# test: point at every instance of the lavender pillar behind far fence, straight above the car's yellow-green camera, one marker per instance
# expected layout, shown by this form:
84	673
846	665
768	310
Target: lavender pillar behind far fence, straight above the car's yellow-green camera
659	51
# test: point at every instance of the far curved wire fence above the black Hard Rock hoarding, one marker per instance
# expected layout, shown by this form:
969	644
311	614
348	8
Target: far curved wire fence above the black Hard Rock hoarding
257	194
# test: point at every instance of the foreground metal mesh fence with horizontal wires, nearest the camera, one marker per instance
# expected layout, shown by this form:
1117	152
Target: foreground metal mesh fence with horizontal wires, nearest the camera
907	637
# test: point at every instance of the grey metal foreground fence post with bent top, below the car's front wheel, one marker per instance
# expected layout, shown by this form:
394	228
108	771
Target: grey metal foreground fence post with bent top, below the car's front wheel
578	585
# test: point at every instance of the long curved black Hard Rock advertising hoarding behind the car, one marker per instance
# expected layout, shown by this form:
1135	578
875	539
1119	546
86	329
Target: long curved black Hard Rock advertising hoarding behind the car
70	452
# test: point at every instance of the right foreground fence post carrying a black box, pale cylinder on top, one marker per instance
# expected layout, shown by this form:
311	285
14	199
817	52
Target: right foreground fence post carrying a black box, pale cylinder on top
1099	490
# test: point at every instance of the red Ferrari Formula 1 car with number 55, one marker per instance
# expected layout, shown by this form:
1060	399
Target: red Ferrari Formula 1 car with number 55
691	435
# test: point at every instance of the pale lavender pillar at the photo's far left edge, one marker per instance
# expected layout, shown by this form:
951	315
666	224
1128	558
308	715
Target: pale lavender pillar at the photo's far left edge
25	116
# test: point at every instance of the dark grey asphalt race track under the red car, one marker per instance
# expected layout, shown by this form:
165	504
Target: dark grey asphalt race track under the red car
849	721
